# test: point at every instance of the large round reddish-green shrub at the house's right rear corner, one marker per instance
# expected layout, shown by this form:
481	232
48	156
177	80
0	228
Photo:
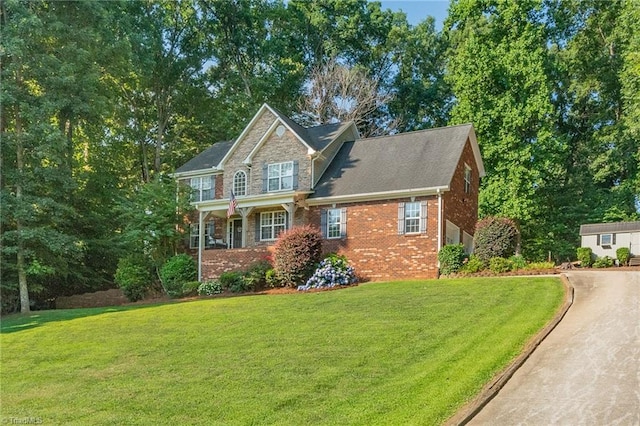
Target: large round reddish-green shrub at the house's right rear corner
495	237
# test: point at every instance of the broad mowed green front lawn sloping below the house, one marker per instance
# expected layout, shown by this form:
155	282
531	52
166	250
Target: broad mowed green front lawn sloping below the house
381	353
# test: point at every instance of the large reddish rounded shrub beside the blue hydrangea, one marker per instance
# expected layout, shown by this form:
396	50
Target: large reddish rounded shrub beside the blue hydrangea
296	253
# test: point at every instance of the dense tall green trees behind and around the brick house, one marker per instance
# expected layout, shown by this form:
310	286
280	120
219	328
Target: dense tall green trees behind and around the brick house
102	99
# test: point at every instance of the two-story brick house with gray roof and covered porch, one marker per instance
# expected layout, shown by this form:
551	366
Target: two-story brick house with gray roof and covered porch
387	203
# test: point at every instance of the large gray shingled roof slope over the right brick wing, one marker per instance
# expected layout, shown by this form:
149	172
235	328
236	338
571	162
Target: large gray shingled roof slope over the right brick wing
420	159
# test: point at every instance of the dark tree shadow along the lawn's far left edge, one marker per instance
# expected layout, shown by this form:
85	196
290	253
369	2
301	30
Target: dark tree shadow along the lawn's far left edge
19	322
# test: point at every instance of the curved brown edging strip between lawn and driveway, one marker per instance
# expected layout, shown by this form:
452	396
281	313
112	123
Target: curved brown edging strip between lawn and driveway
471	409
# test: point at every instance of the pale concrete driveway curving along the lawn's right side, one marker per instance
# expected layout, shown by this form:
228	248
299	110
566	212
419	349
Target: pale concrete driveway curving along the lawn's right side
587	371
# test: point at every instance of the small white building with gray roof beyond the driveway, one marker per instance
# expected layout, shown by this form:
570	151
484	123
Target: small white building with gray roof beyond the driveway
605	238
